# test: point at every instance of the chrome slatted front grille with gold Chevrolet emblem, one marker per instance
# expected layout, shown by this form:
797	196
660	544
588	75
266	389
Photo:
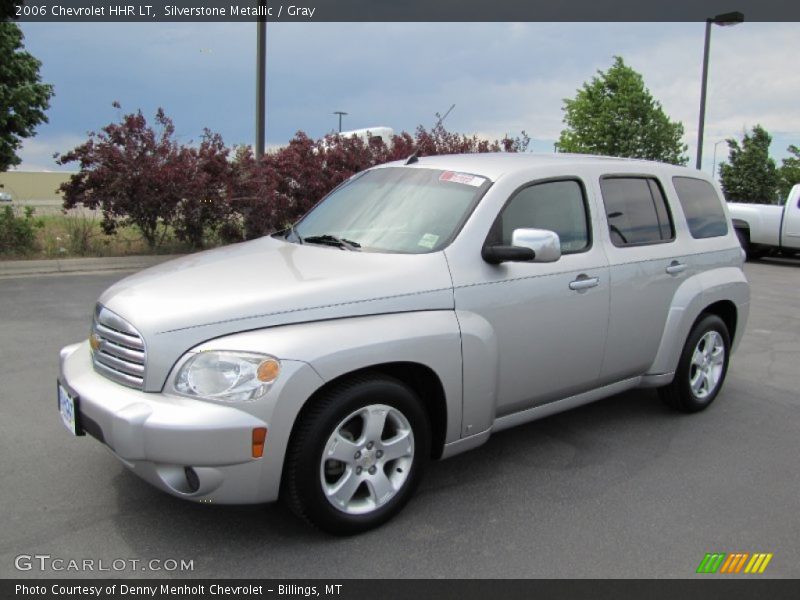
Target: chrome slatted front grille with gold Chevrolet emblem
118	350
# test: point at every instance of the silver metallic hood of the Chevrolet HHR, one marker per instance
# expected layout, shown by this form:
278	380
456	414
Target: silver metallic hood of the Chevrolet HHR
264	283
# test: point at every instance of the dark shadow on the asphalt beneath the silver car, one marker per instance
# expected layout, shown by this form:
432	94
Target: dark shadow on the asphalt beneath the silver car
565	458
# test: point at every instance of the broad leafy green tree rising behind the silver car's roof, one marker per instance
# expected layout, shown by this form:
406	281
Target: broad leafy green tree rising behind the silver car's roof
615	115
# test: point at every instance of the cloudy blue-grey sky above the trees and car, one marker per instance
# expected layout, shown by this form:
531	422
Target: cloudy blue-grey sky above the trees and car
503	77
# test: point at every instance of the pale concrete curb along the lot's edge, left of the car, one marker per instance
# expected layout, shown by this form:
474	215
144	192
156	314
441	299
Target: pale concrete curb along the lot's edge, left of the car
18	268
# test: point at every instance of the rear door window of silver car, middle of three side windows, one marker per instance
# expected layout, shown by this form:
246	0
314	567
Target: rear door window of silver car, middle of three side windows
636	211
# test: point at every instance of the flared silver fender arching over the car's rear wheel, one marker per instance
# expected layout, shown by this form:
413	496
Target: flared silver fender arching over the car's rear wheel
690	300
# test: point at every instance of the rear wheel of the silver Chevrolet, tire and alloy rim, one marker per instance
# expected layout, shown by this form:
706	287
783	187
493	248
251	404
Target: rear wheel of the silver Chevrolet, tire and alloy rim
701	368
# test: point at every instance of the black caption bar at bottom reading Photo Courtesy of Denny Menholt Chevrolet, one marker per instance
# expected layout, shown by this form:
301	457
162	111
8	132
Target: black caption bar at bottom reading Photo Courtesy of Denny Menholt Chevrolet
702	587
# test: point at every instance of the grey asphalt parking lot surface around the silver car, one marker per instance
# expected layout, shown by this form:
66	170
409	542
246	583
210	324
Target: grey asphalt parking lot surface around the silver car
620	488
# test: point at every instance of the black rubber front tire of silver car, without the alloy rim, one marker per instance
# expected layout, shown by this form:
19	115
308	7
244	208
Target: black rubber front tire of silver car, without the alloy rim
342	403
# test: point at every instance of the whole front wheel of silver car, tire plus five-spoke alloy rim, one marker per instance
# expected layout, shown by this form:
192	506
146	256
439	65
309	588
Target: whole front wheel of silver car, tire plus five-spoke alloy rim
357	454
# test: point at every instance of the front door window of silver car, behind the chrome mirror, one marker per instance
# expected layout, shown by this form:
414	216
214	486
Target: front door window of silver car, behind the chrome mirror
555	205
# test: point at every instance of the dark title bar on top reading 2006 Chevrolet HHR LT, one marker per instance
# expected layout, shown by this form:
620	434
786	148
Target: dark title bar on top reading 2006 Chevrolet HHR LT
399	10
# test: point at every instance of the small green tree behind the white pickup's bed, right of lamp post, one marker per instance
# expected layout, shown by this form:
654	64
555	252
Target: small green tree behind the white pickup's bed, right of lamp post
750	174
